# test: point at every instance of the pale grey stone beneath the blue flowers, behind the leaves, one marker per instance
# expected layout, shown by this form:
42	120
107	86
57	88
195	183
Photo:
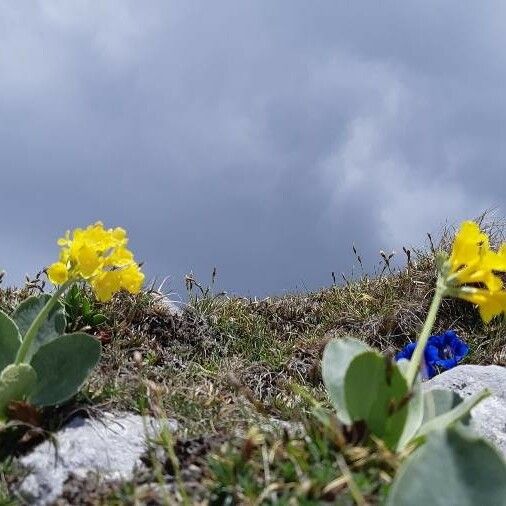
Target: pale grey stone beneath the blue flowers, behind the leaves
489	416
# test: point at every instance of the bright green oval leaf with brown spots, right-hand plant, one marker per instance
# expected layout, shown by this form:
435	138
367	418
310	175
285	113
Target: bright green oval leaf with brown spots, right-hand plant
377	393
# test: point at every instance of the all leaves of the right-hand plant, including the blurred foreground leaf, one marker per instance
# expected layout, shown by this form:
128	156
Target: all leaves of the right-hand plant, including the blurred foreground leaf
363	385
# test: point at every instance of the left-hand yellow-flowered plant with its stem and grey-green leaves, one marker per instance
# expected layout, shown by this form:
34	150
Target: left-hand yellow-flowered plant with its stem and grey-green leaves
38	362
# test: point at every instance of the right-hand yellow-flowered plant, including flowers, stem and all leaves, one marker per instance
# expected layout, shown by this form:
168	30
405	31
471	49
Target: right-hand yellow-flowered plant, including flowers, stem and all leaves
365	386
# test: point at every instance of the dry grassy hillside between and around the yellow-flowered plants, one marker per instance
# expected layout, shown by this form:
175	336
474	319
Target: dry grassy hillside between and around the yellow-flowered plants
242	378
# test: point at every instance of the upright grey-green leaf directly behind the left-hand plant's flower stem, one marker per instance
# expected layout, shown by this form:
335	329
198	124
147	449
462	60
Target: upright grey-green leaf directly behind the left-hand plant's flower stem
27	311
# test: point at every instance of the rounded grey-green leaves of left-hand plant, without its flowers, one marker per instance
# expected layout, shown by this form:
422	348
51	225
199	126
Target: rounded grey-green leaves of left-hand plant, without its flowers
56	364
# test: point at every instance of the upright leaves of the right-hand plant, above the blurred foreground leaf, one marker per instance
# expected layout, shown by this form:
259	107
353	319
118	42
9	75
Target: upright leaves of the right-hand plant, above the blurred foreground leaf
374	390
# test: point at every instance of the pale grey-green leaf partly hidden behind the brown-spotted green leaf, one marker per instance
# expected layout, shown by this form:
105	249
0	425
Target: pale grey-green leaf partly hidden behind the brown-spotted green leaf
337	356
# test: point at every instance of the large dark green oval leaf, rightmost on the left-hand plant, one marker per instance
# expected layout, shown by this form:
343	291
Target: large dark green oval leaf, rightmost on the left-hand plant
62	366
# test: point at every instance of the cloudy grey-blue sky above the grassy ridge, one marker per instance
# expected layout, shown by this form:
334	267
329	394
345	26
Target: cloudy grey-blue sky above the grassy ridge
261	138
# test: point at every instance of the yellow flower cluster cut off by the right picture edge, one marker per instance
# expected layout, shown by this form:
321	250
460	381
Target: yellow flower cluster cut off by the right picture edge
472	268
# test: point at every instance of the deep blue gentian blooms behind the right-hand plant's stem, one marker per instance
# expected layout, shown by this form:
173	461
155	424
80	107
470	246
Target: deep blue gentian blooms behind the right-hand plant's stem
442	352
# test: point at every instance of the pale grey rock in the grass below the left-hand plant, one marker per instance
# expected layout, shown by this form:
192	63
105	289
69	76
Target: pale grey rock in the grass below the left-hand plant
110	446
